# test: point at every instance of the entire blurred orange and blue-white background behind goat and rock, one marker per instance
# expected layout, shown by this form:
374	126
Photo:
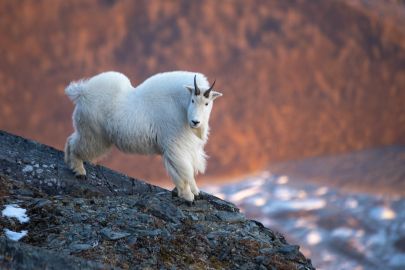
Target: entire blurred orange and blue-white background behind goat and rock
312	118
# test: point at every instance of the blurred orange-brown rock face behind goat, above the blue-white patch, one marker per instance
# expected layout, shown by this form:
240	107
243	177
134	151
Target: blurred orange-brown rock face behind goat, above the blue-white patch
299	79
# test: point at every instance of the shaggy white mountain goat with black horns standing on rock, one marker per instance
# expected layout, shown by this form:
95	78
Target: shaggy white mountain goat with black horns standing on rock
164	115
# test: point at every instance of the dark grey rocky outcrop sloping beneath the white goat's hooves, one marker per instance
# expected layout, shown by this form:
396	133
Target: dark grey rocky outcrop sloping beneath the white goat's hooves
112	221
